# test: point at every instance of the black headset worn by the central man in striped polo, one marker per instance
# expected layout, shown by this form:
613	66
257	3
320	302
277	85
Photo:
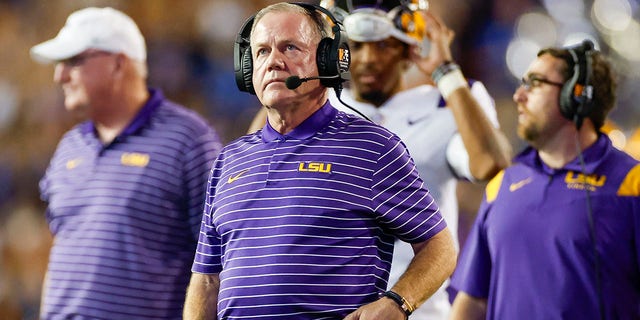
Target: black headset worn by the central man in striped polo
332	55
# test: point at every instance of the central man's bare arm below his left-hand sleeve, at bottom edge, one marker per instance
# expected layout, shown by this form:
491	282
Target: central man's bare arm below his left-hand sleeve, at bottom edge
202	297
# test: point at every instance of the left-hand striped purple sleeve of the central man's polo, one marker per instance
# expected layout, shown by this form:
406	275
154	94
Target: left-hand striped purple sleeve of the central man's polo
209	250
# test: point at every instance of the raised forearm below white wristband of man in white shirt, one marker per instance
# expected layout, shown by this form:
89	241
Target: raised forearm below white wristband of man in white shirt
486	145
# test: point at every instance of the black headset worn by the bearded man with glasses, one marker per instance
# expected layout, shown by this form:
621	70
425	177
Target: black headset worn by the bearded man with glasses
576	96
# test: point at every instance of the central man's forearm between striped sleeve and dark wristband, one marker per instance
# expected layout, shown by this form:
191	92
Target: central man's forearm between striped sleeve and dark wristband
432	264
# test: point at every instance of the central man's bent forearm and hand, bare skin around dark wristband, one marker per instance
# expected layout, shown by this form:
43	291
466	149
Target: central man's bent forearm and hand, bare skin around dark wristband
435	257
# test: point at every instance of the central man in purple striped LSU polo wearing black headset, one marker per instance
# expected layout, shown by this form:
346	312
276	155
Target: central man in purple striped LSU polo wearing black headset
300	217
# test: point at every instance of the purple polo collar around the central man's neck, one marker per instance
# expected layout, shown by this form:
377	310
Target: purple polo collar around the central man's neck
306	129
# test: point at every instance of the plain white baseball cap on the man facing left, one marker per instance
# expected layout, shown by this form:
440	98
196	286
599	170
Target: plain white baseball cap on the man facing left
104	29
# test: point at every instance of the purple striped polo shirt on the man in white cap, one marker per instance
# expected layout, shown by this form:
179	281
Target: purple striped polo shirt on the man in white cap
125	216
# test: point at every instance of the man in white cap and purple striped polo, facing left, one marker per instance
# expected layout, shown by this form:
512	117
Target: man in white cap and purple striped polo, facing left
125	188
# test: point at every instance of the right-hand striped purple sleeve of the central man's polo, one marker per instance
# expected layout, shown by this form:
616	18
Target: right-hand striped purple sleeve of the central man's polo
401	201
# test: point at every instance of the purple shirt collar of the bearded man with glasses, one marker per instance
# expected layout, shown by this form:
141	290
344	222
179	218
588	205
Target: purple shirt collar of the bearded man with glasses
593	156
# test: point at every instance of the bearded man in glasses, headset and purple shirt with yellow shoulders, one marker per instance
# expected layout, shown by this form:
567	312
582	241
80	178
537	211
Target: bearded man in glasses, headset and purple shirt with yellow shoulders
558	232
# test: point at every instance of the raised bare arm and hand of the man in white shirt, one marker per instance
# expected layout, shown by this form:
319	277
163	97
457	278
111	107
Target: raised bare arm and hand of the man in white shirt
487	145
